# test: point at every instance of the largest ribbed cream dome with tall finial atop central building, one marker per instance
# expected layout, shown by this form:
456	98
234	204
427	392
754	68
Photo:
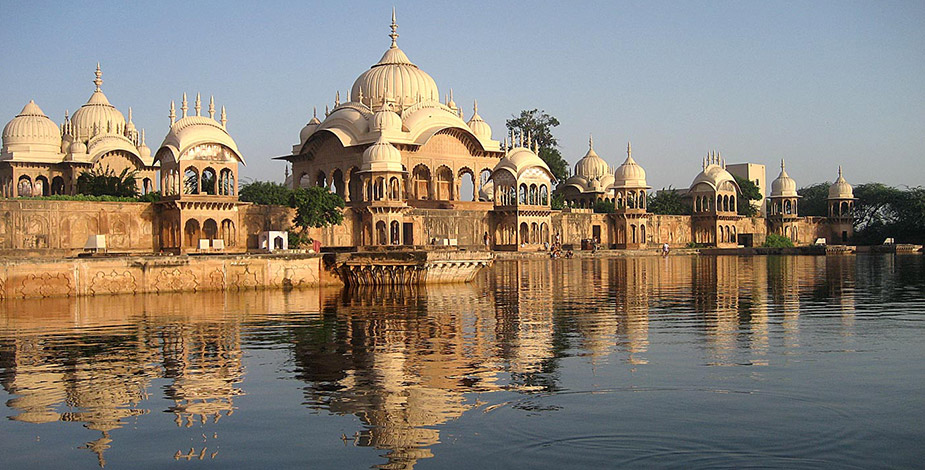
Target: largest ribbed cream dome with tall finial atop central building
395	78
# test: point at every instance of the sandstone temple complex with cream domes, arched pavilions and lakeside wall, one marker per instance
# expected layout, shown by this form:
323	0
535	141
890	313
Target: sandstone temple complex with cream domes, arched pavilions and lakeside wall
413	170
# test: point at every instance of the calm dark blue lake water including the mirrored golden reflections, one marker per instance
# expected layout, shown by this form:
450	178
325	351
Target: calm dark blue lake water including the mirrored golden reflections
679	362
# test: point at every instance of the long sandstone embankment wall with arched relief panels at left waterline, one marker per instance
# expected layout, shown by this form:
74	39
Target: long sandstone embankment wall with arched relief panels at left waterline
71	277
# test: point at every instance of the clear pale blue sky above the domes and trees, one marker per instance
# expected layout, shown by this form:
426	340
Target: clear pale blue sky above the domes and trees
817	83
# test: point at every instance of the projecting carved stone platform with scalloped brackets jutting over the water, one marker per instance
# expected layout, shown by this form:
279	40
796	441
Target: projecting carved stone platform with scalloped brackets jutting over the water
408	267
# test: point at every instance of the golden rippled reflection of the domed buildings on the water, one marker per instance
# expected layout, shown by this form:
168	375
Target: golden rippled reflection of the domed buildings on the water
406	361
